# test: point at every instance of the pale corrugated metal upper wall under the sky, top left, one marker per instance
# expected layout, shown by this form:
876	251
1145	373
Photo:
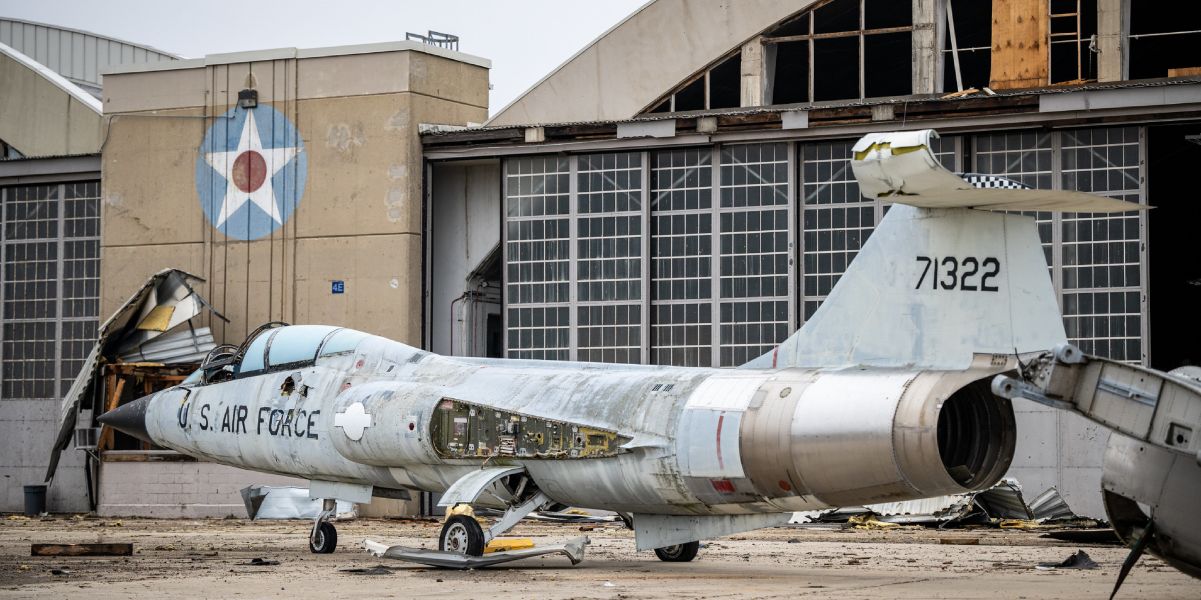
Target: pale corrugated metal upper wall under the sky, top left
77	56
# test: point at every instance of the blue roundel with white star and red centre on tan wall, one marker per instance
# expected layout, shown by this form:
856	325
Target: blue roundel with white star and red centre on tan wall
250	172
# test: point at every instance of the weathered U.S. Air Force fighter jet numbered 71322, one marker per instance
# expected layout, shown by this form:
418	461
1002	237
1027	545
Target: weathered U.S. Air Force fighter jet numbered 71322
885	395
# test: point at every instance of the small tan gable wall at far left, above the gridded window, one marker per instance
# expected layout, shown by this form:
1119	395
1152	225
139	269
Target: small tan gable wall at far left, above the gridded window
41	119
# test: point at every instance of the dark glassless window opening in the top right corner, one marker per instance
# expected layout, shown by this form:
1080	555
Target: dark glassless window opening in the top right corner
1164	41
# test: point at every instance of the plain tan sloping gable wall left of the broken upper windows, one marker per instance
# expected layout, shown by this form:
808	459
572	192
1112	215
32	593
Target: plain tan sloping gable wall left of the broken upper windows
641	59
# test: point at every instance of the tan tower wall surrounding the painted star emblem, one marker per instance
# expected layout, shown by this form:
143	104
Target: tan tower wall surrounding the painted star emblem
360	219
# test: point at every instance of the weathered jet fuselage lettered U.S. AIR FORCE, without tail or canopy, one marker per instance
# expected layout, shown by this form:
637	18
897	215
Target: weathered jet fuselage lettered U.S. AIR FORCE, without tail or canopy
702	441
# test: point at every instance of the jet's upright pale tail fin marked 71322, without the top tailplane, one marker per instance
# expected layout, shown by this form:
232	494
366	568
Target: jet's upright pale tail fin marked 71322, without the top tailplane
930	289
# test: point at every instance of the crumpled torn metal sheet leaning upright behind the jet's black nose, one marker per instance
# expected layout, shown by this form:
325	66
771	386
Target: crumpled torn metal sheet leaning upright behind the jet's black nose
121	332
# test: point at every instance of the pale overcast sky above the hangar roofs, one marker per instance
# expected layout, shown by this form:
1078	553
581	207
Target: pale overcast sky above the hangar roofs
524	39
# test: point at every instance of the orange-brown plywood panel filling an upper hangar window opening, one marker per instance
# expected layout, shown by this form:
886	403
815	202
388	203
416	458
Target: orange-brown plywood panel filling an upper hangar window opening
1019	44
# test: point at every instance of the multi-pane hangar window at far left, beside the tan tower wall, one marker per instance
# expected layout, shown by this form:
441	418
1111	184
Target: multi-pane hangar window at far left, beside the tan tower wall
50	286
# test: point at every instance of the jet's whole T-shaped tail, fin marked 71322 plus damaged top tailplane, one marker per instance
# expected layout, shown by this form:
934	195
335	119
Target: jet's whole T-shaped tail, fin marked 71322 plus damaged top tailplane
937	281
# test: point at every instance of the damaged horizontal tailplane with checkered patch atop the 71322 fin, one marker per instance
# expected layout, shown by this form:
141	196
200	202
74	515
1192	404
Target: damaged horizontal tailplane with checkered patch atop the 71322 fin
901	167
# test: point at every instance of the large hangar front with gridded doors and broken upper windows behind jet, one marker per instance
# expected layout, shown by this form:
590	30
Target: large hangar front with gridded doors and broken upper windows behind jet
707	218
